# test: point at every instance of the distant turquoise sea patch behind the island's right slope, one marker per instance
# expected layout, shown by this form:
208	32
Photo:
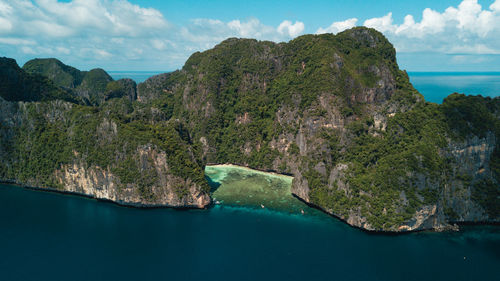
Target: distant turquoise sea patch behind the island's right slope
435	86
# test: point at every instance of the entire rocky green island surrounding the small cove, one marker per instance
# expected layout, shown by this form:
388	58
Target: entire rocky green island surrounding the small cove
333	111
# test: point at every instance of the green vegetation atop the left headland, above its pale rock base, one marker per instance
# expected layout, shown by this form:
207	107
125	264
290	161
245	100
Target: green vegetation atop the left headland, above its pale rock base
105	137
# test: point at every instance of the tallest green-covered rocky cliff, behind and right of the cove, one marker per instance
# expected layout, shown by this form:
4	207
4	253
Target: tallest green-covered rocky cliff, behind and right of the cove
337	114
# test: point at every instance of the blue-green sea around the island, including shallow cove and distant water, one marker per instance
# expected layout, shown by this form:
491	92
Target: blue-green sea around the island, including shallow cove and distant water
262	233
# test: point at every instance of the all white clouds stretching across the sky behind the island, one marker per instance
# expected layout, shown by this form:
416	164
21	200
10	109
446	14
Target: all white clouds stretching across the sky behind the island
117	34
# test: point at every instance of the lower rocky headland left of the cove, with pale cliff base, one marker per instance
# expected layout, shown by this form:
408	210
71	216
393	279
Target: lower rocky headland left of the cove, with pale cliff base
62	146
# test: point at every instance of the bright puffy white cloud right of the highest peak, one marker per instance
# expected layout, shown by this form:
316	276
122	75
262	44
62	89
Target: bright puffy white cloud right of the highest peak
467	28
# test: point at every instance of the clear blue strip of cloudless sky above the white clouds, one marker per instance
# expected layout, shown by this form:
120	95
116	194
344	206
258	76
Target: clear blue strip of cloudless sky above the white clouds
315	13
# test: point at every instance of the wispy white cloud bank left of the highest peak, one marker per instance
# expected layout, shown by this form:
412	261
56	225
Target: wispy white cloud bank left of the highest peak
117	33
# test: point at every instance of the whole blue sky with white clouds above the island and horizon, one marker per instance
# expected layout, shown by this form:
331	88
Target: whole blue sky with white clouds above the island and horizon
152	35
